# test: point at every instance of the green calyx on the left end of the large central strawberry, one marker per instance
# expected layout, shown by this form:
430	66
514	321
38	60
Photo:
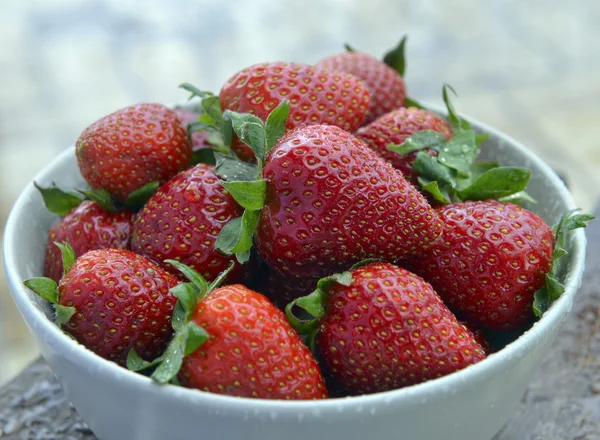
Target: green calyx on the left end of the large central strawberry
243	181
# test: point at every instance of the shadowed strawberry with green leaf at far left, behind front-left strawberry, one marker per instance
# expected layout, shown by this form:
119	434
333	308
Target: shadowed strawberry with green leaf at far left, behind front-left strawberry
85	224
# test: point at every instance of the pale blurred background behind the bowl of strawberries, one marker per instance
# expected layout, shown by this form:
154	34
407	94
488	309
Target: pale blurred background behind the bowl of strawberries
530	68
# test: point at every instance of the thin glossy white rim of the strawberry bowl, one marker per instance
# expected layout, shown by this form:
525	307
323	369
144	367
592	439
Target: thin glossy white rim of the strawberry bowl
479	371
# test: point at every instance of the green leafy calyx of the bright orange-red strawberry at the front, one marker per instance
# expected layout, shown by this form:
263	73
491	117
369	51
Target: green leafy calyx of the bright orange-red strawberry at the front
189	336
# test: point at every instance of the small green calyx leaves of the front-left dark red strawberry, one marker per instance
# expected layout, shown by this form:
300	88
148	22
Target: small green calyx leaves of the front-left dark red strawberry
47	288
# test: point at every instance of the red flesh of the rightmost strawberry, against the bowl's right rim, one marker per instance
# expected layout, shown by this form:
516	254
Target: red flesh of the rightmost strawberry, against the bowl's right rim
491	259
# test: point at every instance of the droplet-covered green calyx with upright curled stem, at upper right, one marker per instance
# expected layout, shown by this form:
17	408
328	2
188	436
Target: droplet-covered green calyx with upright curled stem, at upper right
453	175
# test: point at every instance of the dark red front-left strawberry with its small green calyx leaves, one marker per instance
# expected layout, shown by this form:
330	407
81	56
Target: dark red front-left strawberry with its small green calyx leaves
112	300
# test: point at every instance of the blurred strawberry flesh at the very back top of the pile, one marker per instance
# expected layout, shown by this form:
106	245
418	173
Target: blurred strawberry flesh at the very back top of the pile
386	86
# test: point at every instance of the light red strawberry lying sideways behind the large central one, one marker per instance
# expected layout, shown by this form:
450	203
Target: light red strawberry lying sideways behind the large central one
316	96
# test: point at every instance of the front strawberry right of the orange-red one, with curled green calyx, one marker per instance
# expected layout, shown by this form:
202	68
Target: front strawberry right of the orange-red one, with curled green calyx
378	327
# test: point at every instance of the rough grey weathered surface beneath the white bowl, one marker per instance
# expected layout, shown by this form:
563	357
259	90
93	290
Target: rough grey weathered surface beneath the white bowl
562	403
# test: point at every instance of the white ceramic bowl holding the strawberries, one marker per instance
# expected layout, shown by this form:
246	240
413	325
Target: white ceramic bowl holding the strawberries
472	404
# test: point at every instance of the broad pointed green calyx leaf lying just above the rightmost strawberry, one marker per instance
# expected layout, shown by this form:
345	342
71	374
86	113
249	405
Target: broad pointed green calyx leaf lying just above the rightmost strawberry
496	183
